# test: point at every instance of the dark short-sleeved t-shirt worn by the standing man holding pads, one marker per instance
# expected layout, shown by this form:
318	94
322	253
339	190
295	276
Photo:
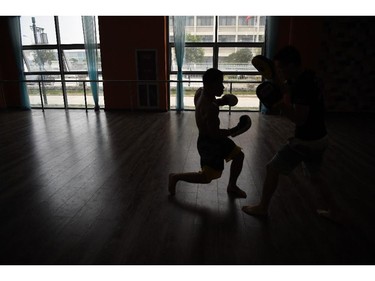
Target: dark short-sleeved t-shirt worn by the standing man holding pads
307	90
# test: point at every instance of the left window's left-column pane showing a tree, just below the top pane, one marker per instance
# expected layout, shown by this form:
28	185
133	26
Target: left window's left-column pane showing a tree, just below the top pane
41	60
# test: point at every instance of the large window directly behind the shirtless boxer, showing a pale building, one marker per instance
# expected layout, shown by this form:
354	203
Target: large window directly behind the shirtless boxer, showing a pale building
224	42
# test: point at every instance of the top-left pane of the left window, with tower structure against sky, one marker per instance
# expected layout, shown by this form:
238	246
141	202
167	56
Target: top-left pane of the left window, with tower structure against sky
38	30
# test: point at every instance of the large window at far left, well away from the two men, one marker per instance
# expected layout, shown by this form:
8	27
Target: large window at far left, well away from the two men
55	61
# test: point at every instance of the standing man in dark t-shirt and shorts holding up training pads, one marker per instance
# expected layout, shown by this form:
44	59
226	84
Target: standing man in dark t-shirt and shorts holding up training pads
303	104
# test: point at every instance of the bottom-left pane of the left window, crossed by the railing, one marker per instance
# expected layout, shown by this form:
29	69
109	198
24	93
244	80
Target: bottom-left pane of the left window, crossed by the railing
47	91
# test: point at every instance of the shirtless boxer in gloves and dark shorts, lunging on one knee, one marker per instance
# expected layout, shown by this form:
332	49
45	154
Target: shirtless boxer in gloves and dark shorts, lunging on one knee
214	144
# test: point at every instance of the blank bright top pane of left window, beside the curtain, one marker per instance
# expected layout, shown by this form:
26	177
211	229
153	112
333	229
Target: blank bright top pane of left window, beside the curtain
71	31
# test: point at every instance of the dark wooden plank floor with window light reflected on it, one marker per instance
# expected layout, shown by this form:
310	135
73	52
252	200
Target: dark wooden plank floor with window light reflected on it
91	188
